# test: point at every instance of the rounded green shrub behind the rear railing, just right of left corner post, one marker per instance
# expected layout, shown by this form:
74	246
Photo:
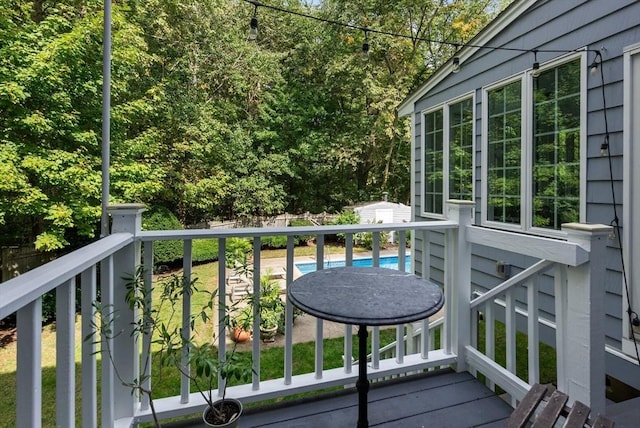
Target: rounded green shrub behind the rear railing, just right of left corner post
160	218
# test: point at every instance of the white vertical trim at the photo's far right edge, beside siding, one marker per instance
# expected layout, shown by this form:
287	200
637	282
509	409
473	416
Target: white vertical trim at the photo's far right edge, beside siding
630	184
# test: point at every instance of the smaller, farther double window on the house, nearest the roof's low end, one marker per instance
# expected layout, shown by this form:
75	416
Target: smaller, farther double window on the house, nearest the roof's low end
448	155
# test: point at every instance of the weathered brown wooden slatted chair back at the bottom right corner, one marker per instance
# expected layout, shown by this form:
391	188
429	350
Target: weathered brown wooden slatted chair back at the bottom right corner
551	409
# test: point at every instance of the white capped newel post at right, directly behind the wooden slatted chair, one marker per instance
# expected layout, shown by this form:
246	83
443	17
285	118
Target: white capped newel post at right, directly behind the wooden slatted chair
583	319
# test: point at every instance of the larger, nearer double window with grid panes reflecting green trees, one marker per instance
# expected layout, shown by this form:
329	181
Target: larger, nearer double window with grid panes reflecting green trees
532	150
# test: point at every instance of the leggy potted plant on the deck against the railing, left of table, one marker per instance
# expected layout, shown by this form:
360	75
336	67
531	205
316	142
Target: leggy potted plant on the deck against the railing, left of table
160	321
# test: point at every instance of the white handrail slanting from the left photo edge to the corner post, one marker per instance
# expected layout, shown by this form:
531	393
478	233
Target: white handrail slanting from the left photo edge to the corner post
24	289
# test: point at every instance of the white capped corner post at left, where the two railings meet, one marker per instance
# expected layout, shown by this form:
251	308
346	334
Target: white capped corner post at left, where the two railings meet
126	218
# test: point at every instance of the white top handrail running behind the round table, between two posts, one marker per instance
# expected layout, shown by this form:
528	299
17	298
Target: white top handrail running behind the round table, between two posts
159	235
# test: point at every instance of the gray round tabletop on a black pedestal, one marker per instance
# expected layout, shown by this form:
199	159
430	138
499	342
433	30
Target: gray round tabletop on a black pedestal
365	296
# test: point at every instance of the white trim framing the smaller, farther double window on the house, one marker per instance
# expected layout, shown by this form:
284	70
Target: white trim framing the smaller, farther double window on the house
446	149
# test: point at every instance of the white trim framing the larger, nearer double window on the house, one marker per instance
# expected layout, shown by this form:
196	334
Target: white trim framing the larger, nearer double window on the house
526	213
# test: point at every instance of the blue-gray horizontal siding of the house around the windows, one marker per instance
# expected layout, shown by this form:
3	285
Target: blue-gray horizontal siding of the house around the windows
564	25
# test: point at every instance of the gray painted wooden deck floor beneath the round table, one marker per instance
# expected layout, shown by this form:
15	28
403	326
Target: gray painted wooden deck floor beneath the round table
438	399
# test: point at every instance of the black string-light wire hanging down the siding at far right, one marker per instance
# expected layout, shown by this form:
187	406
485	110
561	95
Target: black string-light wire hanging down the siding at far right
616	221
